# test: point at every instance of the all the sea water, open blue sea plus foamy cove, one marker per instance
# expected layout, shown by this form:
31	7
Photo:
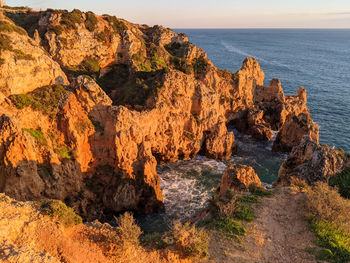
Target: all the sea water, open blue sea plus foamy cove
317	59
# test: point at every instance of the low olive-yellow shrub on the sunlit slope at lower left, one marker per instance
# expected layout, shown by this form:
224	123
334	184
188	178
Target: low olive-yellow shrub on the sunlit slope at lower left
62	213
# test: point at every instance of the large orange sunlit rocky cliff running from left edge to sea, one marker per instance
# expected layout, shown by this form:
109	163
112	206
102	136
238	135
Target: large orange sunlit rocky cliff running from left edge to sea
100	101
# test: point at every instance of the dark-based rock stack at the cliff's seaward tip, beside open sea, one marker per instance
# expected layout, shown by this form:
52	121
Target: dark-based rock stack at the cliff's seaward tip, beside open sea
293	131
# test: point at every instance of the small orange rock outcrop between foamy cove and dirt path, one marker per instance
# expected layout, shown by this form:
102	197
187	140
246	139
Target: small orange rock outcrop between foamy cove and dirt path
238	177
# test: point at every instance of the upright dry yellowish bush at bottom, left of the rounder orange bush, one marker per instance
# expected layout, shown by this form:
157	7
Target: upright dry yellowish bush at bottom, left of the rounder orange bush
128	232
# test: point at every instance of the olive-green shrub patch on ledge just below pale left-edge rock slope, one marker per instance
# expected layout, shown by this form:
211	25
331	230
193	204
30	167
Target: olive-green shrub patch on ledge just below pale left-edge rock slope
46	99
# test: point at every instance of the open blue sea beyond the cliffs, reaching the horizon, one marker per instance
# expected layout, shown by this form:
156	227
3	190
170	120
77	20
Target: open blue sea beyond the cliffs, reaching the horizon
317	59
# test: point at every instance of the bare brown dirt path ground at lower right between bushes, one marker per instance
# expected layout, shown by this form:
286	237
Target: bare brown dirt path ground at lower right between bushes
280	233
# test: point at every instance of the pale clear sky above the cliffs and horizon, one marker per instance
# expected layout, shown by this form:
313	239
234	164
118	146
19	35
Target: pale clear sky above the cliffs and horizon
214	13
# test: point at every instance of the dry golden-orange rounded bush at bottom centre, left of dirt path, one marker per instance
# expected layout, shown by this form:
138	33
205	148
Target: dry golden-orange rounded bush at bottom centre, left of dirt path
190	241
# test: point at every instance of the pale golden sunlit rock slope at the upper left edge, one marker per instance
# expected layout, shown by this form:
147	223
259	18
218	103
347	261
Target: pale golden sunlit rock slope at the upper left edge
24	65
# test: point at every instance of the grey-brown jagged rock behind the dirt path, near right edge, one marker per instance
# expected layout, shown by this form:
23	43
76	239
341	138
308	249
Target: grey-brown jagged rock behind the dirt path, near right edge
311	162
